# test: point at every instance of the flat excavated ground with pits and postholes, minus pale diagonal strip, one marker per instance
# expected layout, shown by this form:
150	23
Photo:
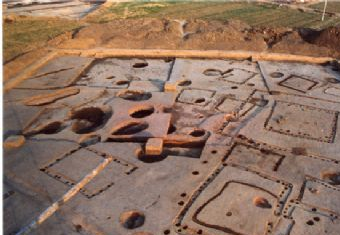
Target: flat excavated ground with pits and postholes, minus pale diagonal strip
207	147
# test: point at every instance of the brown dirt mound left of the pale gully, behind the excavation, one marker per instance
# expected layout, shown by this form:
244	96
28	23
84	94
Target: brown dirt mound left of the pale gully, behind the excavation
142	33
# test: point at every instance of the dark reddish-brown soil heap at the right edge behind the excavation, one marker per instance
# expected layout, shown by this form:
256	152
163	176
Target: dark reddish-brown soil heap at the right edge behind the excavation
329	37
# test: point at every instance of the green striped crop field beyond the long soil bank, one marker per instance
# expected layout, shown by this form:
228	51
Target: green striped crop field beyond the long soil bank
255	14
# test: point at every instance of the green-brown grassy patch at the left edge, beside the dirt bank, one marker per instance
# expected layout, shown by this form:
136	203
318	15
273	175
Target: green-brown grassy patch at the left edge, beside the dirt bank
28	33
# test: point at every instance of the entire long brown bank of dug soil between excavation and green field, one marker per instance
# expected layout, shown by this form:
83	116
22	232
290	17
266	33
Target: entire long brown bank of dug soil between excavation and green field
204	35
